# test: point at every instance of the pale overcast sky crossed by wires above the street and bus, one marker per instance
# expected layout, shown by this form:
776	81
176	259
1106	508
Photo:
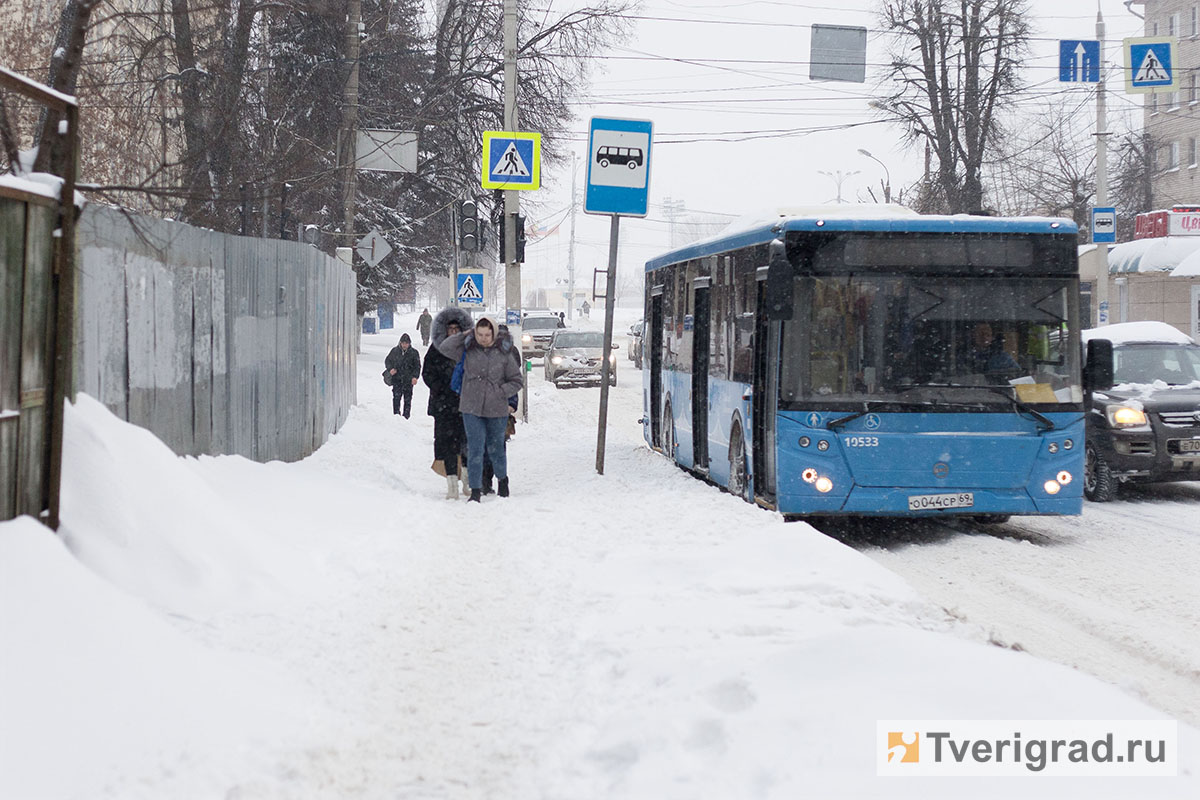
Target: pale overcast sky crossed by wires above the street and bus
753	131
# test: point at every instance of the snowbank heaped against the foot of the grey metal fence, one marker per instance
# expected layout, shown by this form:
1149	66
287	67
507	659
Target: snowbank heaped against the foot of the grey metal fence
152	525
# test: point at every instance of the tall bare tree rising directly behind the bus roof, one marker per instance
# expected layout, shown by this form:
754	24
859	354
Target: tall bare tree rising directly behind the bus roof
955	69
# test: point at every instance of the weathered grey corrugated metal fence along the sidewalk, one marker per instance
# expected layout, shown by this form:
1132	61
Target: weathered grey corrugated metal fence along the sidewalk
217	344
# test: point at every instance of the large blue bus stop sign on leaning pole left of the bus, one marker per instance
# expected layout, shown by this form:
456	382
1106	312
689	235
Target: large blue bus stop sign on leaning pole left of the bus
619	167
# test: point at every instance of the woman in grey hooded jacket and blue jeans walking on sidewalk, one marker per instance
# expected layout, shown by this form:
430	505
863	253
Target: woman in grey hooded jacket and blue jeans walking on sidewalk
490	378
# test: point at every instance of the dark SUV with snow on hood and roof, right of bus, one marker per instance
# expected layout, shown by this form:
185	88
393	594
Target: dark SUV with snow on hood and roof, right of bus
1147	428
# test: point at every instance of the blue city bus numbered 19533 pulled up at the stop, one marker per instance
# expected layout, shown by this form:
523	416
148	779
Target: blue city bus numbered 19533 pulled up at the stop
842	363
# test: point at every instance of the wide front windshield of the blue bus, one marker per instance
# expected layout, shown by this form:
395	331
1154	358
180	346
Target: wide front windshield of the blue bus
929	340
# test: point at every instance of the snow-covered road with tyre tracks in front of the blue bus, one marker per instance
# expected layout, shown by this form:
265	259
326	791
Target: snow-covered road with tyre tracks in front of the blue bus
1114	593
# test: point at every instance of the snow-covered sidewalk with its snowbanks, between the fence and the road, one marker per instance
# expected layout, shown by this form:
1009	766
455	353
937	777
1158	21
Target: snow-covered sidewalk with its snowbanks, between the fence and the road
335	629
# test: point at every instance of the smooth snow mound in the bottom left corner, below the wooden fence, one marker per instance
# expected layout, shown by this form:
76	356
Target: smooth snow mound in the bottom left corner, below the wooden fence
103	697
